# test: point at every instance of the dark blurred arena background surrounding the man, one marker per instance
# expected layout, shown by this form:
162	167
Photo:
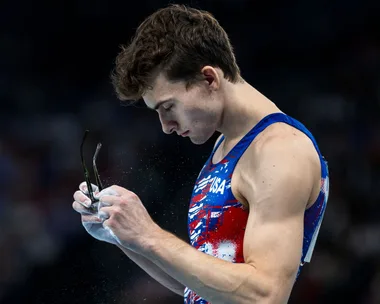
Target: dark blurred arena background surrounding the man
318	60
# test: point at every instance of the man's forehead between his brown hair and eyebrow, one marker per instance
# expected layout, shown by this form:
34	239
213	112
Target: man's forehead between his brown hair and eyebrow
162	89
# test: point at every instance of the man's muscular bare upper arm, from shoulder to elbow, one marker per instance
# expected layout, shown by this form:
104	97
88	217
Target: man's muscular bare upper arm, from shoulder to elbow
277	189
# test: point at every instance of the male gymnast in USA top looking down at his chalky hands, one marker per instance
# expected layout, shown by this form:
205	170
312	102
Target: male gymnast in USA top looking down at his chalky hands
259	200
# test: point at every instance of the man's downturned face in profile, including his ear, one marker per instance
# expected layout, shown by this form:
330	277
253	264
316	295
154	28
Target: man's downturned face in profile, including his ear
193	112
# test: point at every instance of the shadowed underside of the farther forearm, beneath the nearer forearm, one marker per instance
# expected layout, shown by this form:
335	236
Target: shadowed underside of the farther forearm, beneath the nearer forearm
155	272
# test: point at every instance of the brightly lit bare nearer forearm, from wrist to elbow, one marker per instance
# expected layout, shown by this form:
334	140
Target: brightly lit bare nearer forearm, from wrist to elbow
214	279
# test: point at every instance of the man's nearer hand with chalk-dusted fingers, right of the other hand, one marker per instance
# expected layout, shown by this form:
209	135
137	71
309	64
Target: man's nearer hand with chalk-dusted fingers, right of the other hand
126	217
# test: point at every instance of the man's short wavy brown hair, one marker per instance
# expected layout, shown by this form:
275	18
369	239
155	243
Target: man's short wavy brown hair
177	40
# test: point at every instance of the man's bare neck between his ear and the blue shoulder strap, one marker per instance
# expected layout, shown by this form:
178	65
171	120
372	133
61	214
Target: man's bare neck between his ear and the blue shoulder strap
244	107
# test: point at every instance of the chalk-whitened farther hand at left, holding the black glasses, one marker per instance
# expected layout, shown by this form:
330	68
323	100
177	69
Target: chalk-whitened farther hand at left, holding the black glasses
92	219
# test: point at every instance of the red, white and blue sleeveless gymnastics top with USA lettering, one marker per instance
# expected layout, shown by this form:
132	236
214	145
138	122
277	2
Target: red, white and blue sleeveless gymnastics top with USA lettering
217	220
